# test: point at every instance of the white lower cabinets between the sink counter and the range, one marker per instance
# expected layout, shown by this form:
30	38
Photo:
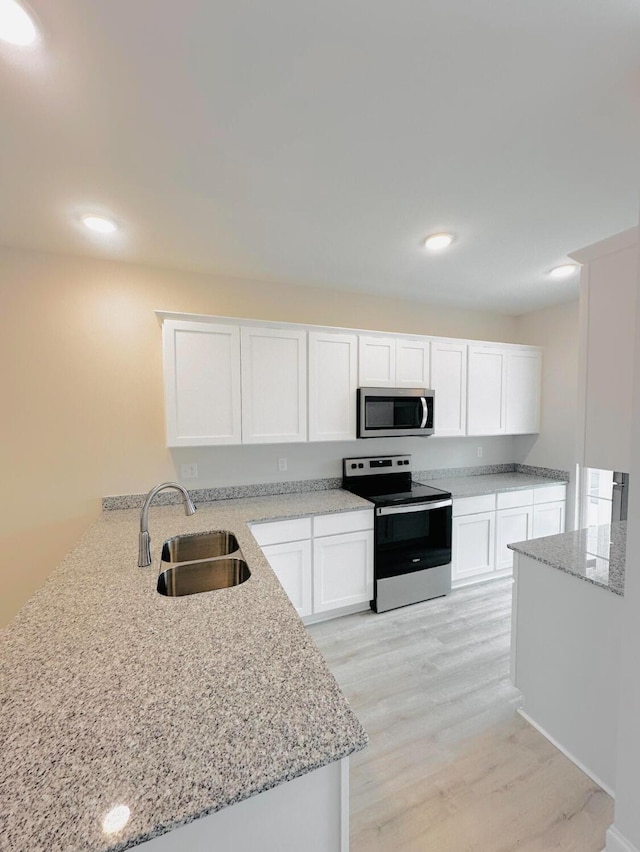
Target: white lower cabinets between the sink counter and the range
324	563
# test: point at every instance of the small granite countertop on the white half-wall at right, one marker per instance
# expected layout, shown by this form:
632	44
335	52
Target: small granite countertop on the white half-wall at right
595	554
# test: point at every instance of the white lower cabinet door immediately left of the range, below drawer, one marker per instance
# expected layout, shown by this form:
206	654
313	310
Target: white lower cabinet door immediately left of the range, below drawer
342	570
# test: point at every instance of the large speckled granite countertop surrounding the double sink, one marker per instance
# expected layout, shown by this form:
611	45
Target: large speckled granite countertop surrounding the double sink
176	707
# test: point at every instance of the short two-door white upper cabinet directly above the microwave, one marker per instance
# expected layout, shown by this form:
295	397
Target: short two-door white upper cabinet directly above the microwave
393	362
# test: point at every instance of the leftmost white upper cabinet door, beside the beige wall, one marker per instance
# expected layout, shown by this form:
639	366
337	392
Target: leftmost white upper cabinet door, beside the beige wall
201	366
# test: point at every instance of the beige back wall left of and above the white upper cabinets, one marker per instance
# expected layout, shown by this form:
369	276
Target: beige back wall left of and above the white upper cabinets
82	390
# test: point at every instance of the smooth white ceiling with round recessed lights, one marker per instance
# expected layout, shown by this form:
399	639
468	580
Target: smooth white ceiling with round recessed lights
319	142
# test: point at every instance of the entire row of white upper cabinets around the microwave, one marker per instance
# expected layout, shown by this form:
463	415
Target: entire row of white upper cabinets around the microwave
233	382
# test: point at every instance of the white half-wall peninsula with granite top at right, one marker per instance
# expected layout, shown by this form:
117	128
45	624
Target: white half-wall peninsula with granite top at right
565	649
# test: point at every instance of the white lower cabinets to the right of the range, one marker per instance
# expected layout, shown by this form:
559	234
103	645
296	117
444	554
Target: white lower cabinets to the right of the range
483	526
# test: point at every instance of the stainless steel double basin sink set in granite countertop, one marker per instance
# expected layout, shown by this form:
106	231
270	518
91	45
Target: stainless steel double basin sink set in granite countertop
201	562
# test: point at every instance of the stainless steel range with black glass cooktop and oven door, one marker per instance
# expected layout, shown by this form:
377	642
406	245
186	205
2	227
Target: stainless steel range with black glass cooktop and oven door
412	530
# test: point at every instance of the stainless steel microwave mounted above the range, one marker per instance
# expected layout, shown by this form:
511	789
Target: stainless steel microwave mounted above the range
392	412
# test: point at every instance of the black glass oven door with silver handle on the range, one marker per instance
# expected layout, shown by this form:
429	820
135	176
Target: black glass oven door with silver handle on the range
412	537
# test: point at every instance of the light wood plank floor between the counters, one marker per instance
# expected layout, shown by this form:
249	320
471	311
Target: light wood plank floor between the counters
451	767
